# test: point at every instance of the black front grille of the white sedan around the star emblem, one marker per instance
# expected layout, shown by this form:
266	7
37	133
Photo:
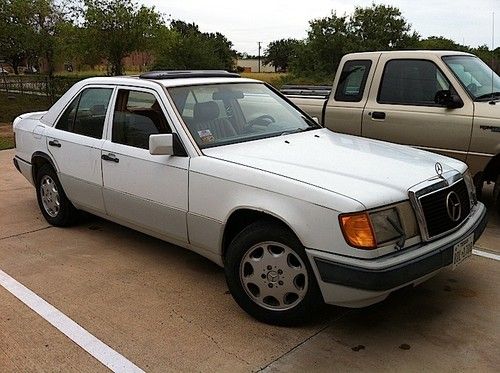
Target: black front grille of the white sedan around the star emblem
435	209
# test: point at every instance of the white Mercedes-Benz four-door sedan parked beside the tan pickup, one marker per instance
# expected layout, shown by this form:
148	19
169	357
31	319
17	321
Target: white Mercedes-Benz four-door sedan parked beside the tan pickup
229	168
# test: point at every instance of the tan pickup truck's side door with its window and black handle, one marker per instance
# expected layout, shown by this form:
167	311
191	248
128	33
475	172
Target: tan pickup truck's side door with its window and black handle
401	108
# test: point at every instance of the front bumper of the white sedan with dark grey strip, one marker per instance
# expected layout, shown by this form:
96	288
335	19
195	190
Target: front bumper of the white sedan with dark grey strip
359	282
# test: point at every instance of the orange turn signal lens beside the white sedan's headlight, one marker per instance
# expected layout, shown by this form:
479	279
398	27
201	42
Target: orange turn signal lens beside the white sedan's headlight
358	231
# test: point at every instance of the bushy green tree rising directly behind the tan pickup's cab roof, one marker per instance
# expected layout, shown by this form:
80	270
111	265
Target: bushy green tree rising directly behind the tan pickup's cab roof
381	27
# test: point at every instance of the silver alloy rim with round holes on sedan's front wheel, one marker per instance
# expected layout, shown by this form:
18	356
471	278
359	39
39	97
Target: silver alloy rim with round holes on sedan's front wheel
273	276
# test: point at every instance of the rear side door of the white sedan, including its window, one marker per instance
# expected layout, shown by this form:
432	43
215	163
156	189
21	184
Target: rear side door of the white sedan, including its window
75	144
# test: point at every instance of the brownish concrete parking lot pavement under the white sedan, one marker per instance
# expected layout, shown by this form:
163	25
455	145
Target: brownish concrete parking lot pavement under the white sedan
135	299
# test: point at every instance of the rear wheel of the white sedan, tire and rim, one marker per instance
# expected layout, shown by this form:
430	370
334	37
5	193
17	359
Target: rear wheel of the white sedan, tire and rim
54	205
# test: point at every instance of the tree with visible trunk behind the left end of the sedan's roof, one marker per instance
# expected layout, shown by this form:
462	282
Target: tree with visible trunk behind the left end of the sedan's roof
119	27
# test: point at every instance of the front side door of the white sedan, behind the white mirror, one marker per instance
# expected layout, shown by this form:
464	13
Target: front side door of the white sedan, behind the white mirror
147	191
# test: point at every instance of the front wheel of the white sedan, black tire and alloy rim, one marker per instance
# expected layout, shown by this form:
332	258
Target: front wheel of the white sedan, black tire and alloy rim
270	277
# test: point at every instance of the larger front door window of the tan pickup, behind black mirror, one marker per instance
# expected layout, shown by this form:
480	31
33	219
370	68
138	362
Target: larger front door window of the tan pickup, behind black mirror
411	82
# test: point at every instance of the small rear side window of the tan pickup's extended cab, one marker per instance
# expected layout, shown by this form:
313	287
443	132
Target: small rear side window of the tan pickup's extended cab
353	80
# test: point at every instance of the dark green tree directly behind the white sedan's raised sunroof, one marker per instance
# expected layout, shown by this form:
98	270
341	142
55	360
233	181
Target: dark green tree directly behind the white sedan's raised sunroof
184	46
